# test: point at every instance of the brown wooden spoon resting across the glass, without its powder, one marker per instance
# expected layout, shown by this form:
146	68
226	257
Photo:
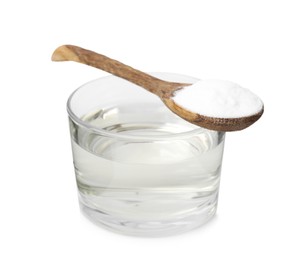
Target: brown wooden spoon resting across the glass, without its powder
164	89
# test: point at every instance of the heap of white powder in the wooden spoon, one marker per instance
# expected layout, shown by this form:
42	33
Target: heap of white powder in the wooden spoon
218	98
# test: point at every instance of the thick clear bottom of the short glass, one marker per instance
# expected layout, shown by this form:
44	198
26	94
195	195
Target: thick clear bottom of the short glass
158	227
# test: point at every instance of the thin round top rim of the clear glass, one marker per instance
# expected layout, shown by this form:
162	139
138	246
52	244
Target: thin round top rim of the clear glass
121	135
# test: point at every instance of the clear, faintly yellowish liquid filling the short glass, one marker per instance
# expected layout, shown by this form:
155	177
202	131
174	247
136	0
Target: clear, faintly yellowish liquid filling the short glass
146	184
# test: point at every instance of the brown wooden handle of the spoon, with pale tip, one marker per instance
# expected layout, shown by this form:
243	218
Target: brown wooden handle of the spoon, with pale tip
157	86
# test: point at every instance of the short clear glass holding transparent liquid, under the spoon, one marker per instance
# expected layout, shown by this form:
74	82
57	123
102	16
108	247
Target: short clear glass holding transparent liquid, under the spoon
140	169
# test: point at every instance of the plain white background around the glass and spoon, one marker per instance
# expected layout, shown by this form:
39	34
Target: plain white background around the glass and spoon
254	43
